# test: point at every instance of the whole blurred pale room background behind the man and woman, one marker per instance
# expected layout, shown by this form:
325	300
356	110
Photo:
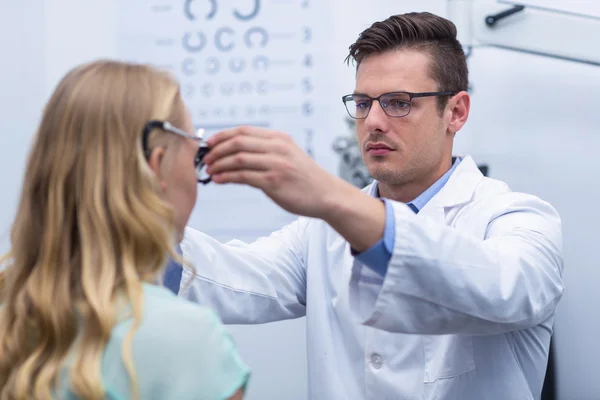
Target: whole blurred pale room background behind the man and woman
534	122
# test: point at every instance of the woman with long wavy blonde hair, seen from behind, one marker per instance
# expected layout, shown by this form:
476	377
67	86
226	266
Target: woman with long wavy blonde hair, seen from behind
109	186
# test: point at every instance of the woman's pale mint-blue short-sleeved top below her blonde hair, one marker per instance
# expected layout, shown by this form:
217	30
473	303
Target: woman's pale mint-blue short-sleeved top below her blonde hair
181	351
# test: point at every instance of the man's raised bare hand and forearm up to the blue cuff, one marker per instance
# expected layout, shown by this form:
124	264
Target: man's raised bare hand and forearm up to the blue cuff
271	161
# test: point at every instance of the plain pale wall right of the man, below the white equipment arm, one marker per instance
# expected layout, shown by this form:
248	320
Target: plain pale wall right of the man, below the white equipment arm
535	121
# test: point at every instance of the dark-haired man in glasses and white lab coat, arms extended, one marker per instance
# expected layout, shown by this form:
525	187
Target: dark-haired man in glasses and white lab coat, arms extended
434	282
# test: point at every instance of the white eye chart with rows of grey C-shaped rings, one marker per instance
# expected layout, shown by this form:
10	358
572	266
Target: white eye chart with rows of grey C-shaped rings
257	62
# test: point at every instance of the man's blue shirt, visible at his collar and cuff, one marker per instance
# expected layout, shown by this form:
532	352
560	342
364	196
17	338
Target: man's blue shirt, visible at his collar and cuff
378	256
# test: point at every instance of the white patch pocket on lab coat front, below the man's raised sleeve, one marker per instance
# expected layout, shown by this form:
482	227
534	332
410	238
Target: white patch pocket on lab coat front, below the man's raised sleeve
447	356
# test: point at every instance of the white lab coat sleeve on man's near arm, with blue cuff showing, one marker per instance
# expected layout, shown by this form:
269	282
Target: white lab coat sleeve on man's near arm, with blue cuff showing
442	281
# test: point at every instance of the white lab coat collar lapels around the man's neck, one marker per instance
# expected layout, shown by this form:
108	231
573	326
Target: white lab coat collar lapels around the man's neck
458	190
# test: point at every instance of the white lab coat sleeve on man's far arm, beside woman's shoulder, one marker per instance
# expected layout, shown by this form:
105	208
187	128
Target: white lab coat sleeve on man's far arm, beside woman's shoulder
252	283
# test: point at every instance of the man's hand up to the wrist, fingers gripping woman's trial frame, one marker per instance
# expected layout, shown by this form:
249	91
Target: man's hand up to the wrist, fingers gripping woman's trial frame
270	161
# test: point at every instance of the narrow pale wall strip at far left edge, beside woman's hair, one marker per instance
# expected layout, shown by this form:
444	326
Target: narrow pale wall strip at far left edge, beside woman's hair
21	98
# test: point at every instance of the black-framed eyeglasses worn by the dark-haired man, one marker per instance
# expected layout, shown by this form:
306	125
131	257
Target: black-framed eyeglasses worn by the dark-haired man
394	104
